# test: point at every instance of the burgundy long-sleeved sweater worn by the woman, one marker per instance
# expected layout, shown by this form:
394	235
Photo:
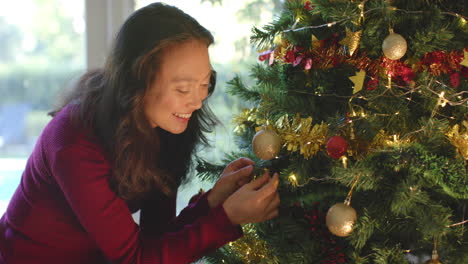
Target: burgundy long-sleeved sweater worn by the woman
64	211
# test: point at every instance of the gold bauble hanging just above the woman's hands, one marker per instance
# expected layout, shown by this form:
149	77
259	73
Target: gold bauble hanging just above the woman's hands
266	144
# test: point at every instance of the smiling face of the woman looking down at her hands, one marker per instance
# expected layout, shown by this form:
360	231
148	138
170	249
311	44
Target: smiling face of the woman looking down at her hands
180	86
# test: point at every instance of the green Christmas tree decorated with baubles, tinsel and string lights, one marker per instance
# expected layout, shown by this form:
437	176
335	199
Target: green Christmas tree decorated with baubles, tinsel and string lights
361	106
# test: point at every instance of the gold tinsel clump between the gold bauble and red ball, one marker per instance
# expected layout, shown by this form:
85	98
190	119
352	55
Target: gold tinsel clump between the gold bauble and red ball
301	135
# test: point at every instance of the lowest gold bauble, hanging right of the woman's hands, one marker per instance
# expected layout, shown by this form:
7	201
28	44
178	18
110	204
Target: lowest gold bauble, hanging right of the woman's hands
340	219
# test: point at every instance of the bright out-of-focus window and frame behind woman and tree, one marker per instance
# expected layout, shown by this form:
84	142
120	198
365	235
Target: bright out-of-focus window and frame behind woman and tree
47	44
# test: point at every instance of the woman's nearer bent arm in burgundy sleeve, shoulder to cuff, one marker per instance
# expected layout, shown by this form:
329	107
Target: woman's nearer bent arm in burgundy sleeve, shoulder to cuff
83	173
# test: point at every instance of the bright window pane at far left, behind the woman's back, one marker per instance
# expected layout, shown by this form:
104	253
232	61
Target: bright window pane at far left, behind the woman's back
42	51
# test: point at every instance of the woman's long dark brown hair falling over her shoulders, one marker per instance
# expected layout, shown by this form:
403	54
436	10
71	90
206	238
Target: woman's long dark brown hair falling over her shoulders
111	104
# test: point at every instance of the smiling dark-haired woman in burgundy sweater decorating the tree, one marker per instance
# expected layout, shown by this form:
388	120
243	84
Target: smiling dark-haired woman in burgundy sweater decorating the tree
123	139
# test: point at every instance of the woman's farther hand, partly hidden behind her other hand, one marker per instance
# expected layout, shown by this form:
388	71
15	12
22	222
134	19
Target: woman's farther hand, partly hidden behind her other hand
236	174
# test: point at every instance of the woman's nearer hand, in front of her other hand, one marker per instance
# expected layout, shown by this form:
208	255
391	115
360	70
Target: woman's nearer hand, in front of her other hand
255	202
